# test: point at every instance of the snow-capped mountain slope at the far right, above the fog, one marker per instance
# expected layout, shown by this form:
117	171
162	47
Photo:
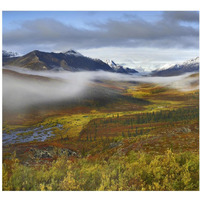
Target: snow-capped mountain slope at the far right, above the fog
178	69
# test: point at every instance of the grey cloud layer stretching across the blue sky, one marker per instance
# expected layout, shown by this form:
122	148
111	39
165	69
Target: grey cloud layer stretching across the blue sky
171	30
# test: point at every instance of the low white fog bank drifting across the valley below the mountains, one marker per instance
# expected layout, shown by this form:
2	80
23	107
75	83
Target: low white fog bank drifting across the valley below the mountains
19	91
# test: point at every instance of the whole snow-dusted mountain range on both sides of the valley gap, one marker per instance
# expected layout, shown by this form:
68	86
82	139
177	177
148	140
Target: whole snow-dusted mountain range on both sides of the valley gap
74	61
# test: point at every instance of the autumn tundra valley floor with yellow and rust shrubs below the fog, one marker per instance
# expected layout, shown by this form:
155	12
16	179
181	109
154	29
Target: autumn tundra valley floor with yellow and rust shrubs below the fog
145	136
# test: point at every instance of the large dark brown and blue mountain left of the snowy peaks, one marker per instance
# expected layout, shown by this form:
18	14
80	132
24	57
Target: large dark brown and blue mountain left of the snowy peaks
71	61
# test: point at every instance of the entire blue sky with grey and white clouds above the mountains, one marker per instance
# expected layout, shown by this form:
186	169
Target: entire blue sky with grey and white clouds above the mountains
143	40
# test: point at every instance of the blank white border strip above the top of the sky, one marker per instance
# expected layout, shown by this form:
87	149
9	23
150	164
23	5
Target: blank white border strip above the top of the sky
100	5
